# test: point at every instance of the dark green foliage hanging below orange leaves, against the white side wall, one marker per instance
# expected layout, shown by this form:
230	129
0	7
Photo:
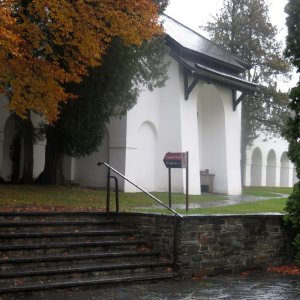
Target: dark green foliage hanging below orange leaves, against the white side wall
109	90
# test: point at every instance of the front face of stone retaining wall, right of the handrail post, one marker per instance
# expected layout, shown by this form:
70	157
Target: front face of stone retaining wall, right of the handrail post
211	245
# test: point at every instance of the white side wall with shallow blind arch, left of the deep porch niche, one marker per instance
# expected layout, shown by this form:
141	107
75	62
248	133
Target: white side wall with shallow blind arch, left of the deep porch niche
156	116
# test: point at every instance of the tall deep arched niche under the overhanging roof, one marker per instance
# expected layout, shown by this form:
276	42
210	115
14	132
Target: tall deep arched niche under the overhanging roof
211	135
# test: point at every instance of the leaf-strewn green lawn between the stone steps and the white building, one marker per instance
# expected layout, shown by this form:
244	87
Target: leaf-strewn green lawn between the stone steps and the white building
22	197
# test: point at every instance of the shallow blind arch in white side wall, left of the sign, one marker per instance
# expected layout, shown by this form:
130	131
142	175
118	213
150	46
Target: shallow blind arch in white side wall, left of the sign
146	155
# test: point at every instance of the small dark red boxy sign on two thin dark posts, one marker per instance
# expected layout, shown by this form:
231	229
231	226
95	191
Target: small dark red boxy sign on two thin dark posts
178	160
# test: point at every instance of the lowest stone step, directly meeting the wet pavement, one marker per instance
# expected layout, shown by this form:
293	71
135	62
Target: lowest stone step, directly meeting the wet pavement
83	282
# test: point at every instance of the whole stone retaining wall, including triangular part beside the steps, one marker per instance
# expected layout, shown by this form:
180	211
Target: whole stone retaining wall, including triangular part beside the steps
211	245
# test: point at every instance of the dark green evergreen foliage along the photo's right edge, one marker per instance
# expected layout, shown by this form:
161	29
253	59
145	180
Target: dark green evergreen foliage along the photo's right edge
292	129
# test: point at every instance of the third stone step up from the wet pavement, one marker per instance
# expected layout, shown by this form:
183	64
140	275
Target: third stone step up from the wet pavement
18	263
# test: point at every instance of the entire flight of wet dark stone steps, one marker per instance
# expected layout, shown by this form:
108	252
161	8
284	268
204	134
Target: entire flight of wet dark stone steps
40	251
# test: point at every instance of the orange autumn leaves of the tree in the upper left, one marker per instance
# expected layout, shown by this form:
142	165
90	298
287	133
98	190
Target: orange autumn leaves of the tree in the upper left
46	44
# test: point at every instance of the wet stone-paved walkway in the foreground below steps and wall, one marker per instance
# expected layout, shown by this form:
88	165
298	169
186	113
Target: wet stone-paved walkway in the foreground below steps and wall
256	286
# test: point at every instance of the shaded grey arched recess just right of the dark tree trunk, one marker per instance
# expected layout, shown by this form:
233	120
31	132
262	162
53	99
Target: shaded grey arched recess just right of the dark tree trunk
87	172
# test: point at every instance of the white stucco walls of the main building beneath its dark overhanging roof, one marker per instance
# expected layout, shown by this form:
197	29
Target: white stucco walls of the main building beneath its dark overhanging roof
205	125
